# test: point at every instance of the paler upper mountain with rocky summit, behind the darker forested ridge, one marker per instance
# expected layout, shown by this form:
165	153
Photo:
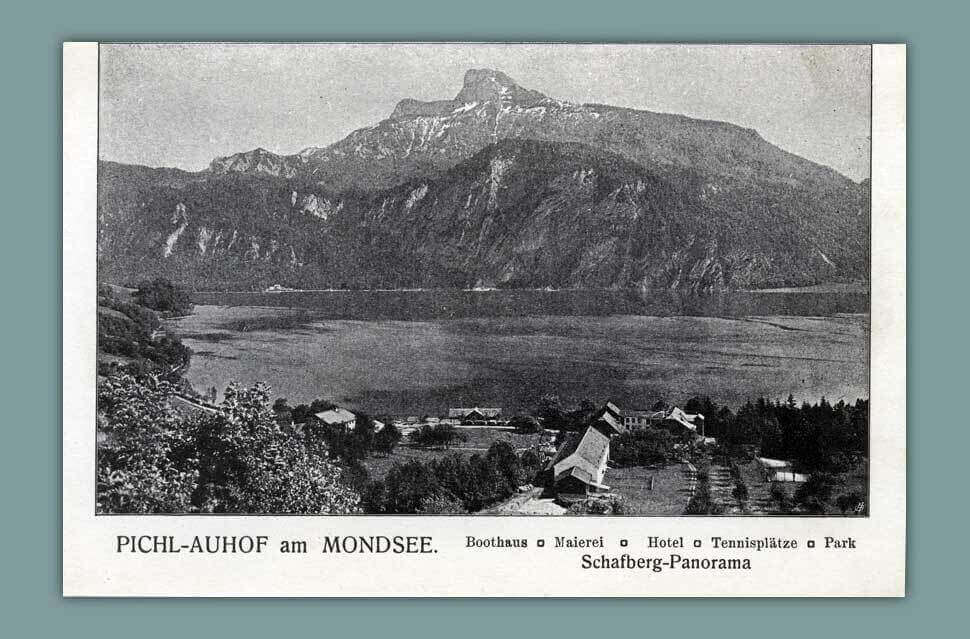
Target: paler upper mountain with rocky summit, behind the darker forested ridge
419	137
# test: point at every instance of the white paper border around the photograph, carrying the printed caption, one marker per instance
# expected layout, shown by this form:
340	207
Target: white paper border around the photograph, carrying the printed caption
92	568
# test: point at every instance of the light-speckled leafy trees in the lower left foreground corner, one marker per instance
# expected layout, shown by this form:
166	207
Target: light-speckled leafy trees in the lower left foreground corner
151	460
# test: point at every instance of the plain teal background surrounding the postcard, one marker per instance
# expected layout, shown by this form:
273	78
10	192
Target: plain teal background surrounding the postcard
30	260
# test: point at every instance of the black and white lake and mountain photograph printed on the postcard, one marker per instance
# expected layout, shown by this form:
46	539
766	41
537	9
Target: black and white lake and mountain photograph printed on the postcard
484	280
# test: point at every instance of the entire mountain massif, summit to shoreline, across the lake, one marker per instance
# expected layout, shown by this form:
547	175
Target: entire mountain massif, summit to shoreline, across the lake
501	186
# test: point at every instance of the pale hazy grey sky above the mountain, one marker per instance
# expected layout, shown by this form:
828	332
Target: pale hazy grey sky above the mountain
183	105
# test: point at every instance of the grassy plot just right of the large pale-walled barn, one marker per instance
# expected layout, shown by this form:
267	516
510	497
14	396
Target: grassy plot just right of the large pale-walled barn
670	494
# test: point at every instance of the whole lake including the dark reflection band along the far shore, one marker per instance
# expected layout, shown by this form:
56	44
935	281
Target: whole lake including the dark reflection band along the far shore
417	352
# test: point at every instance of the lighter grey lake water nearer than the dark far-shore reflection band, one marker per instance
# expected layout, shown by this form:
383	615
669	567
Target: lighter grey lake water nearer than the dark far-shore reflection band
418	367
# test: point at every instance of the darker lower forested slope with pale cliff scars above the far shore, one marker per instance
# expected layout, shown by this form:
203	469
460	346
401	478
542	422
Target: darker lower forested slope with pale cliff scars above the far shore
519	213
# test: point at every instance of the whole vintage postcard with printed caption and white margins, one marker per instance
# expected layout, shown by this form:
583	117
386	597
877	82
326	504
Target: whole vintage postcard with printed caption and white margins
484	319
